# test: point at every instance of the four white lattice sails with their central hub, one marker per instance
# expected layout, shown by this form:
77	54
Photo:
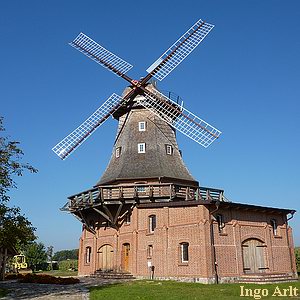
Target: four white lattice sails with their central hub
169	111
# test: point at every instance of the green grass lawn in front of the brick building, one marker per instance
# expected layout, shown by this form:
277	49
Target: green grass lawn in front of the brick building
146	289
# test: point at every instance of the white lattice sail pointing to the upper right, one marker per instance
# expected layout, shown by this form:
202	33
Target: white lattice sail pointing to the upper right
185	45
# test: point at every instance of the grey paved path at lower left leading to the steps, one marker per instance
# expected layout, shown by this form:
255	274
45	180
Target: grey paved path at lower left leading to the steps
36	291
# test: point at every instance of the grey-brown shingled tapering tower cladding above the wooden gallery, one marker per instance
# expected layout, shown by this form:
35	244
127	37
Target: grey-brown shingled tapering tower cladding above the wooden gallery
155	162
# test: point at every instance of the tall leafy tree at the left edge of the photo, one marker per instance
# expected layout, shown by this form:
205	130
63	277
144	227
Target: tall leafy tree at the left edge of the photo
15	229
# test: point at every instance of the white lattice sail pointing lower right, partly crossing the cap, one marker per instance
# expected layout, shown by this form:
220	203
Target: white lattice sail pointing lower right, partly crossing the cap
180	118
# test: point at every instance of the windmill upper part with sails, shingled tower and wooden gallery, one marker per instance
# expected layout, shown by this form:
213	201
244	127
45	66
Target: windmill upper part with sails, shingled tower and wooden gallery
146	163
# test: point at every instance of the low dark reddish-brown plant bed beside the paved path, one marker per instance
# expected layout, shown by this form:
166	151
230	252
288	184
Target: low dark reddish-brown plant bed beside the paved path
47	279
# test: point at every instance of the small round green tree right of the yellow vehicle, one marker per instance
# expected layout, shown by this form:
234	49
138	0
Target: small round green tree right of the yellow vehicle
36	255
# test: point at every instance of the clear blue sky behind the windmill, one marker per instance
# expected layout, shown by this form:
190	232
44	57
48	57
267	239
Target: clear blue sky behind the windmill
244	79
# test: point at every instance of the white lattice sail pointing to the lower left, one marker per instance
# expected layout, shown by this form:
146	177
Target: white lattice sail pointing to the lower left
65	147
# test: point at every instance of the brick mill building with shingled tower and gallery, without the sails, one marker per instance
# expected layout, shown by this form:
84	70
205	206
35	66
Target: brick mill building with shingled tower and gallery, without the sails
148	215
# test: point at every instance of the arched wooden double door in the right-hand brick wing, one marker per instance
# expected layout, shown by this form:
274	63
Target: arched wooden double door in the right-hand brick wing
254	256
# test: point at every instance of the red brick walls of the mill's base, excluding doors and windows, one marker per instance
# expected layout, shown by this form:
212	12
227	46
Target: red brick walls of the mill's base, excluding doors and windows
191	224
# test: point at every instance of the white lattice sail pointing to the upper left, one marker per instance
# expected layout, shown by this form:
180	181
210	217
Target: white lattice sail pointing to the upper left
100	55
